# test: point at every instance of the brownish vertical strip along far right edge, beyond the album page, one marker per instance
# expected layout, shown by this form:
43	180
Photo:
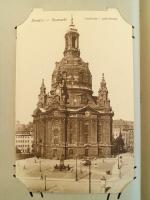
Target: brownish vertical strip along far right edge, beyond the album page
145	97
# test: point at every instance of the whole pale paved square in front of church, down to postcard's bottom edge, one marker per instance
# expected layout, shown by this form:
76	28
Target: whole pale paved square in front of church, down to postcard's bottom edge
32	173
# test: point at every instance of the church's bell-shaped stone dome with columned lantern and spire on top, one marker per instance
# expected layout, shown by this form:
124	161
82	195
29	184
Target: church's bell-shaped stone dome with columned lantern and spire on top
73	69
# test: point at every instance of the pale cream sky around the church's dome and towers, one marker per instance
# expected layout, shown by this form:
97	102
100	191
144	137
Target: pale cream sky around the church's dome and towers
105	42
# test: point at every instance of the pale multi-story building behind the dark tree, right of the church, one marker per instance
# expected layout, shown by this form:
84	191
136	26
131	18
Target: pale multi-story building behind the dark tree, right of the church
126	129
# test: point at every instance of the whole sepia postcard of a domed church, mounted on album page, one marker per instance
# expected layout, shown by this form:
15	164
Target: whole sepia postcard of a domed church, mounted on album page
74	102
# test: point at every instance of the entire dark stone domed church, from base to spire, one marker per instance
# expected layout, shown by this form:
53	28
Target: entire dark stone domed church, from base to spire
69	120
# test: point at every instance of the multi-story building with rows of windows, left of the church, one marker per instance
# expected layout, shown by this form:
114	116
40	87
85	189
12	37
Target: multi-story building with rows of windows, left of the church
24	138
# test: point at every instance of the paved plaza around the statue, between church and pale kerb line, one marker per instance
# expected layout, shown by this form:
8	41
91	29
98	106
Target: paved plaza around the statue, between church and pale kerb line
34	167
